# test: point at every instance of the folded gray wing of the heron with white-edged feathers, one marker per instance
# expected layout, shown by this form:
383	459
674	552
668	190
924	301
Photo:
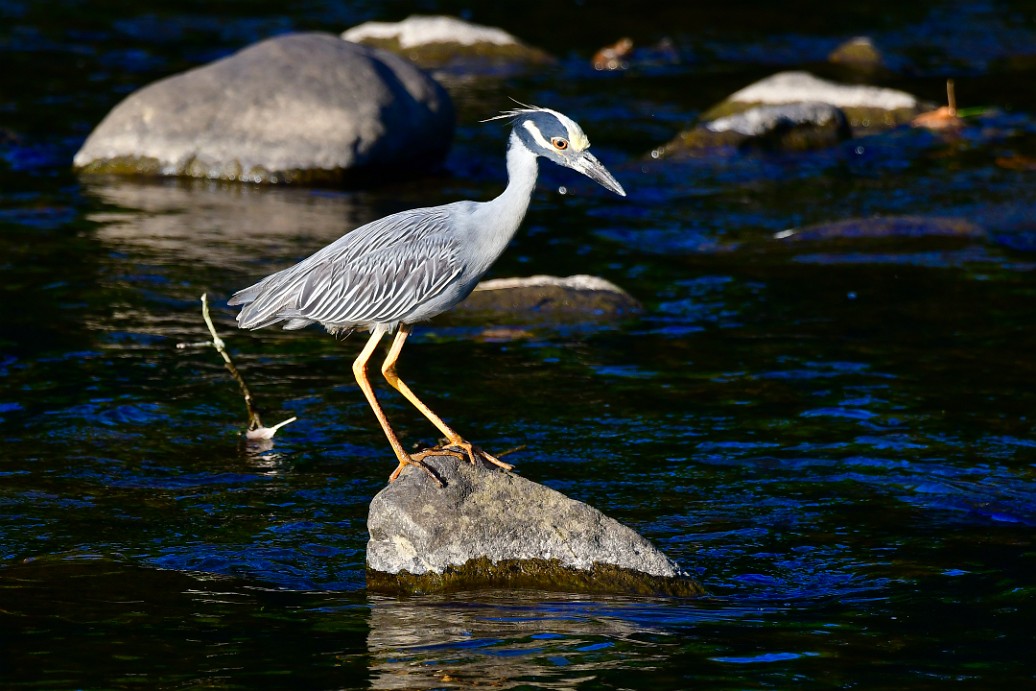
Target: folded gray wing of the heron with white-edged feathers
380	273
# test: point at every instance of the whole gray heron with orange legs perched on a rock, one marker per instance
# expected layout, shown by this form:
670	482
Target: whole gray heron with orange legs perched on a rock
411	267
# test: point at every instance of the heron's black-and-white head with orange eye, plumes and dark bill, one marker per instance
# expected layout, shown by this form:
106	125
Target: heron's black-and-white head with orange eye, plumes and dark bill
557	137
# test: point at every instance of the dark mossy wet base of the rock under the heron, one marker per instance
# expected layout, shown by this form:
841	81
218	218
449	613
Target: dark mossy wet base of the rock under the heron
533	574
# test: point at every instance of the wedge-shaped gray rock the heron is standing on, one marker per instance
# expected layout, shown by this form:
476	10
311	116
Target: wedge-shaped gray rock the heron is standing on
491	529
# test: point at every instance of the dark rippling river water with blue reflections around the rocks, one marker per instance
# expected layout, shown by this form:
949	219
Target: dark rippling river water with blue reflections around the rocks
839	437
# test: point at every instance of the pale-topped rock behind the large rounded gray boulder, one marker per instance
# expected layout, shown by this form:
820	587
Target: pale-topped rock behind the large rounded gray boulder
450	43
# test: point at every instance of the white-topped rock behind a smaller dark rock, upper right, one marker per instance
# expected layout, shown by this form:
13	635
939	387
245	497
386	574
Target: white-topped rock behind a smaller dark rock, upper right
867	107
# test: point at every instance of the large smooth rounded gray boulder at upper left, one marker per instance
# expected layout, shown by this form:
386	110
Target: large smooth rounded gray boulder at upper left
307	108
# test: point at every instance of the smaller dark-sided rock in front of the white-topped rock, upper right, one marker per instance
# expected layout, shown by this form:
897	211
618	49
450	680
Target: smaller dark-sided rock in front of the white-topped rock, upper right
786	128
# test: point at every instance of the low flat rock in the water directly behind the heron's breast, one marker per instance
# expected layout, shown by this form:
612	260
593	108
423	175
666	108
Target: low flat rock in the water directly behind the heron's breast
536	299
